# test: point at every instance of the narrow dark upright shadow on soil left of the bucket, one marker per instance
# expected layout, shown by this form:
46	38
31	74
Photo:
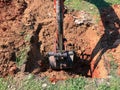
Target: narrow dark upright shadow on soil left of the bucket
34	55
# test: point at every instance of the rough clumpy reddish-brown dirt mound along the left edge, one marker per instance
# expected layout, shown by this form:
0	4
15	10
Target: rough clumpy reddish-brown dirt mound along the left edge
10	39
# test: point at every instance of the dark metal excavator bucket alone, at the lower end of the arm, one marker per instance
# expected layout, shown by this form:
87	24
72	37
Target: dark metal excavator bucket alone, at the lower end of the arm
61	60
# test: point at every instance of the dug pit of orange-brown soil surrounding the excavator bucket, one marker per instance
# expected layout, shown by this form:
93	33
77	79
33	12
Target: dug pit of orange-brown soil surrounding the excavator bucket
77	38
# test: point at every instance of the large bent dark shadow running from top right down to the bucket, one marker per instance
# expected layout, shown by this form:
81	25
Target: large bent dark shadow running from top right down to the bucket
111	24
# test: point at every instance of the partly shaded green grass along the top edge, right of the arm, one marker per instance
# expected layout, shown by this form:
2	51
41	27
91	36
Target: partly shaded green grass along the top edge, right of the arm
91	6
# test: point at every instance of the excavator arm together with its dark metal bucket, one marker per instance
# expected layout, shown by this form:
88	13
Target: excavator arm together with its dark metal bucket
60	59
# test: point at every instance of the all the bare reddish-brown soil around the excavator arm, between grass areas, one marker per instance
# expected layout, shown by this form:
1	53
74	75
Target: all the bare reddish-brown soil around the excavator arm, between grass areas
30	26
